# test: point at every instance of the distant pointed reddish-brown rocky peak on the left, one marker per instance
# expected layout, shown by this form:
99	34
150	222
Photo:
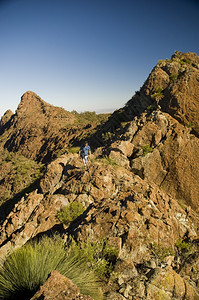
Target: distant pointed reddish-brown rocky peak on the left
40	131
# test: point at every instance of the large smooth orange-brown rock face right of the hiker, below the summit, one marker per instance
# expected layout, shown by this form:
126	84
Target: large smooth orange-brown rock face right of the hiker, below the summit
162	151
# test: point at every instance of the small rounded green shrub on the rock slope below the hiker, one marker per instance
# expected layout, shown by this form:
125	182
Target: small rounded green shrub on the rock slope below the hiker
70	212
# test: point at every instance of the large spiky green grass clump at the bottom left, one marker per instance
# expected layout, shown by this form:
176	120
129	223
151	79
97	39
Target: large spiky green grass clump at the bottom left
24	270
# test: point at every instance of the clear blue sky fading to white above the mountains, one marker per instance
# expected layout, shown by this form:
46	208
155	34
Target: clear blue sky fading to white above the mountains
88	54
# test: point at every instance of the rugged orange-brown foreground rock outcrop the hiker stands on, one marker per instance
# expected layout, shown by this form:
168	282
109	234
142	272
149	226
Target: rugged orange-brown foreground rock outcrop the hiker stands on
133	214
